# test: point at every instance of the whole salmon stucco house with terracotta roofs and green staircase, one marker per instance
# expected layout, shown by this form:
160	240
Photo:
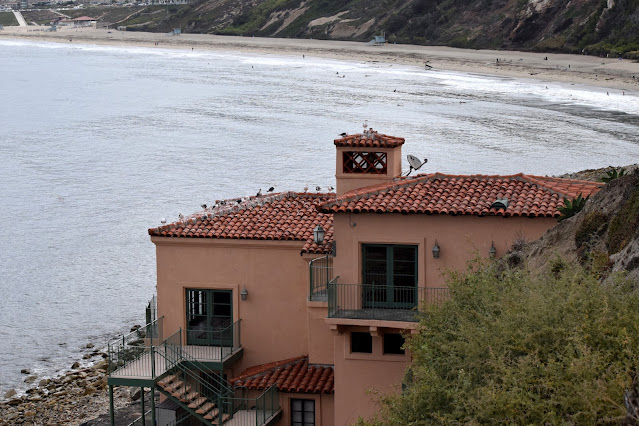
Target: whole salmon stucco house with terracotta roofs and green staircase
288	308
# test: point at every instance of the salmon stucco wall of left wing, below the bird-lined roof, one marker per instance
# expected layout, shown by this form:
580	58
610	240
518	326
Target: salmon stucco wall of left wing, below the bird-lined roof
274	316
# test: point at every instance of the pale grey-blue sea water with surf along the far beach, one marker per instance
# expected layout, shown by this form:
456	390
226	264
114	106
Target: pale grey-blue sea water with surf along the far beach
98	143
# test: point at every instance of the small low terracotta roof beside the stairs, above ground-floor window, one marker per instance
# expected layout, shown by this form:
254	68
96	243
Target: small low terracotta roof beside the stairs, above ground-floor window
291	375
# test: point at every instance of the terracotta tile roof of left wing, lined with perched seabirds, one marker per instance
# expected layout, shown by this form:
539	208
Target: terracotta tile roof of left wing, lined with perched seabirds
285	216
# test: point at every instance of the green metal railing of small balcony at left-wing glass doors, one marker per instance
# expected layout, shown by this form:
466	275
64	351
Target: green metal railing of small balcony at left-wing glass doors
216	345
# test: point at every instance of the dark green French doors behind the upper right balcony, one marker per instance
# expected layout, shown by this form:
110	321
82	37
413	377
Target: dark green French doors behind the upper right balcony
389	276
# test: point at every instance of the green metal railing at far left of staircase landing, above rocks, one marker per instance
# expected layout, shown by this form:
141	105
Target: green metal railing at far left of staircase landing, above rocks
132	350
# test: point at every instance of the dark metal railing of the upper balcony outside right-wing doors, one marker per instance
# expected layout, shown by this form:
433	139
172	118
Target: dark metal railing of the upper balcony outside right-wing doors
380	302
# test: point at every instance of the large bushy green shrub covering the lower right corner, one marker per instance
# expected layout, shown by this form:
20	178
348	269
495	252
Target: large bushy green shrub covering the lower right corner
515	347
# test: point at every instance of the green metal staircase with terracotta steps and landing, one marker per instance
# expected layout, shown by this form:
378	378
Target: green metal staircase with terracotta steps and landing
171	368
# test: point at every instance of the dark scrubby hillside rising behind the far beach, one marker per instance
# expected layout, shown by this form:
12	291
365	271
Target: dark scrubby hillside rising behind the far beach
592	26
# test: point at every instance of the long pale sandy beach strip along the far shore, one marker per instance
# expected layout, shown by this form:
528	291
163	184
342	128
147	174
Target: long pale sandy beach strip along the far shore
578	69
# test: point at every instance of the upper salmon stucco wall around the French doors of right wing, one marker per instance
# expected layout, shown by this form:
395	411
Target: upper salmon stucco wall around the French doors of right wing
460	239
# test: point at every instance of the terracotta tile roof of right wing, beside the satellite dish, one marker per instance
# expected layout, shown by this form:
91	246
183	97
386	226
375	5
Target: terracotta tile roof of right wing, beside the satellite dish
534	196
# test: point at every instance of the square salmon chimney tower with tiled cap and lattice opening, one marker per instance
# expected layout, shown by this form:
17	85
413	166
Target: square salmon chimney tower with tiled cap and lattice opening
366	159
